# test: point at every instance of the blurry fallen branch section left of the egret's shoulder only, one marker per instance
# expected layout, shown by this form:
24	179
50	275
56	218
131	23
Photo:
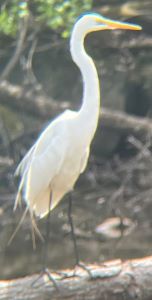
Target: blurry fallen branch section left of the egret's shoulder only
21	99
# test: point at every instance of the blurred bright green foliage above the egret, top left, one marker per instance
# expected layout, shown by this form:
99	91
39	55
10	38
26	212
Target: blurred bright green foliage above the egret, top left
58	15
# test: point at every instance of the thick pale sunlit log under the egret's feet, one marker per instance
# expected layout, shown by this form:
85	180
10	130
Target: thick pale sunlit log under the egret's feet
114	280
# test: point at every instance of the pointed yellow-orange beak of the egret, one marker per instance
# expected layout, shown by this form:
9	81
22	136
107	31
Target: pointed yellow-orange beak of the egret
112	24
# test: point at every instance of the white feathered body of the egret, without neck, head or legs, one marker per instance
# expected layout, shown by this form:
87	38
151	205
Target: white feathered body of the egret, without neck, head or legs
53	168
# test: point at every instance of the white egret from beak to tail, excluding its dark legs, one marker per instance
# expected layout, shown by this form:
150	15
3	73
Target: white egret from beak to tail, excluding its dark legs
54	163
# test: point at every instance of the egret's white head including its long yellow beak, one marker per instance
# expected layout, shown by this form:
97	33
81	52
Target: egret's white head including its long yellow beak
95	22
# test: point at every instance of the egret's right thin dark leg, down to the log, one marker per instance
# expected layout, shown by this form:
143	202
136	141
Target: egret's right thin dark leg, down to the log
73	235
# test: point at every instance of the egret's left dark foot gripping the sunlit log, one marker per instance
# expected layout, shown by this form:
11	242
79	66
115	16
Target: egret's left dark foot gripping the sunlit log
50	277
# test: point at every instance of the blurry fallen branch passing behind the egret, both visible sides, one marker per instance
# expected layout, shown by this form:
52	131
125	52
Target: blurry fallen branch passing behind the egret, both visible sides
45	108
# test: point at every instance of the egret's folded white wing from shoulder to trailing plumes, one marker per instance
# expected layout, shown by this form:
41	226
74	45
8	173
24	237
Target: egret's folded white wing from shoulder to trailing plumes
44	159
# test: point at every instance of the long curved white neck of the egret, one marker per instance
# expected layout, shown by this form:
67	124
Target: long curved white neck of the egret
90	108
